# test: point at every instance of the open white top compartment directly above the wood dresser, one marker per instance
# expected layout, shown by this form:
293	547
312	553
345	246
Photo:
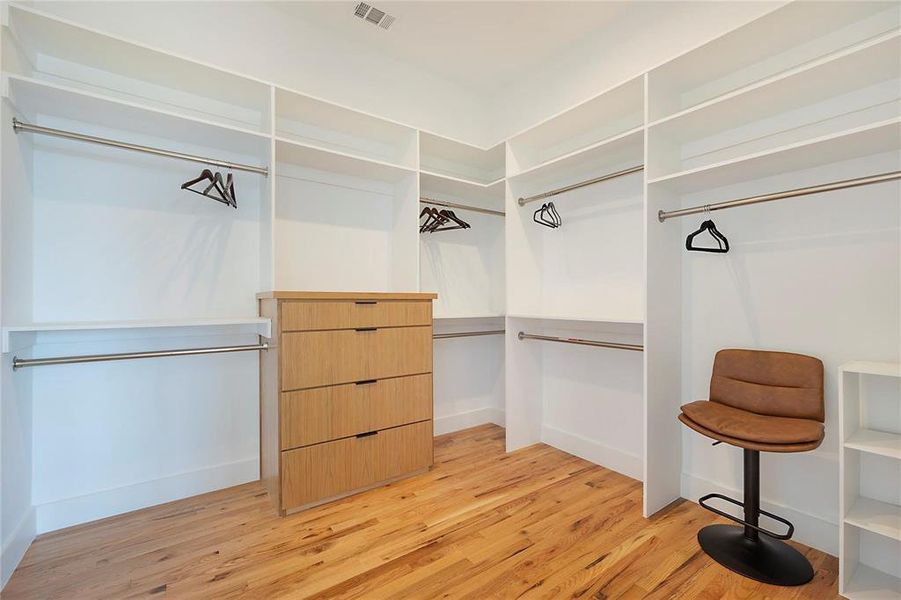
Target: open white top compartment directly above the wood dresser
348	132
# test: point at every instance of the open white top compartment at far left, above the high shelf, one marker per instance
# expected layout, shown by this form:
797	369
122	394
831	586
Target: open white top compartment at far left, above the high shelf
53	50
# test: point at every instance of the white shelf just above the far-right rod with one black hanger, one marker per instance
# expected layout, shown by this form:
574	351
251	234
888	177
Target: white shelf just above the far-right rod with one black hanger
858	142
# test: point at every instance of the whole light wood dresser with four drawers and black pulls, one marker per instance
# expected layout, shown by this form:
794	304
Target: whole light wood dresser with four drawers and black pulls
345	393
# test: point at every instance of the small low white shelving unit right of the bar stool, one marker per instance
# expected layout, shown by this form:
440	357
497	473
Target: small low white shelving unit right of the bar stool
870	480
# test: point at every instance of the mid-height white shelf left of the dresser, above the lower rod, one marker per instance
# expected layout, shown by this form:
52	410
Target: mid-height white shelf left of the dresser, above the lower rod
262	325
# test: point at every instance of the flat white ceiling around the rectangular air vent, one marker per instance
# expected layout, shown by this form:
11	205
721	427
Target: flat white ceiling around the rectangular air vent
478	45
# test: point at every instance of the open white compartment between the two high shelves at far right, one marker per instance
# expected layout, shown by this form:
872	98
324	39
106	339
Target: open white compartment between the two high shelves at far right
853	88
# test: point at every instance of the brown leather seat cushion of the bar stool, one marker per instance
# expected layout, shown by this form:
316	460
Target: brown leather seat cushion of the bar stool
734	425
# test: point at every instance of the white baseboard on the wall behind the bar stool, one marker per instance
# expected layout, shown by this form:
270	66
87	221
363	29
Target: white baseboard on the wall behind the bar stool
812	530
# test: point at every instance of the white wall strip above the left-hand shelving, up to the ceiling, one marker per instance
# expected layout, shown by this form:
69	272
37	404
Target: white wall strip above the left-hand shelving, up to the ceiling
258	40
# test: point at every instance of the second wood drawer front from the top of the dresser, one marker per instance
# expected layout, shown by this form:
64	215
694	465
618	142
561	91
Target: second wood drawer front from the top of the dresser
319	358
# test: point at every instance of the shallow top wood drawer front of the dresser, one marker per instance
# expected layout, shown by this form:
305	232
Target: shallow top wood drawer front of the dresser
312	316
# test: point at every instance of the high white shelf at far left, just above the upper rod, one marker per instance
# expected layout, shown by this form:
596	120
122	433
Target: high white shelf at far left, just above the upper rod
36	100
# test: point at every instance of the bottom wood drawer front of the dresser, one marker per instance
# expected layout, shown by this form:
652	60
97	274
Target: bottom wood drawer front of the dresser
325	470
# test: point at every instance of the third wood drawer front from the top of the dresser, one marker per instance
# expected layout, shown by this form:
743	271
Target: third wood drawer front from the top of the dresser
328	413
